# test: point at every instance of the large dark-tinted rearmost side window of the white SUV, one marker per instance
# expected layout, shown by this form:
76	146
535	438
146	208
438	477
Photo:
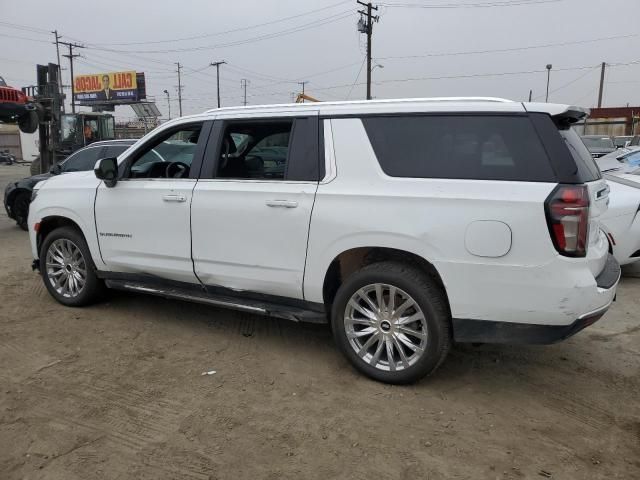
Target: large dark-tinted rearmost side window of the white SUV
480	147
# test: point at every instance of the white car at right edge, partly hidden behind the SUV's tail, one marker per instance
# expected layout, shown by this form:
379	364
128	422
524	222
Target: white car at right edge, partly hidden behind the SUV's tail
621	222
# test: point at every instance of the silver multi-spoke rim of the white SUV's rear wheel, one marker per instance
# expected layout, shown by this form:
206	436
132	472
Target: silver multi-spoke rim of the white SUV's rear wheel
385	327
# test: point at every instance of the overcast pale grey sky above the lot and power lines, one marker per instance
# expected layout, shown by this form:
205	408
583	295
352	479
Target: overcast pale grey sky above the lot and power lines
276	43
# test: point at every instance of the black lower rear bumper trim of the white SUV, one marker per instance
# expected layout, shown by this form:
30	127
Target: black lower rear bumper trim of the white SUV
489	331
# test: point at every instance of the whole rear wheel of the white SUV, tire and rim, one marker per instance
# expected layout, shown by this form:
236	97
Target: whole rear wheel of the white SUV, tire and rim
392	322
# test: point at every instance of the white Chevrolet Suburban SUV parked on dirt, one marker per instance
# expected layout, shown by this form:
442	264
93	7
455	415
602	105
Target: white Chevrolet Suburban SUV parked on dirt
405	224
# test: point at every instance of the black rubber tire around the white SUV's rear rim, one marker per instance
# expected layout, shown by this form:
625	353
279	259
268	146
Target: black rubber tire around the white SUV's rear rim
431	300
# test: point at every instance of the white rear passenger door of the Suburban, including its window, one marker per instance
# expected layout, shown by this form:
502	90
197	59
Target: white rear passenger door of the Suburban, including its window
252	205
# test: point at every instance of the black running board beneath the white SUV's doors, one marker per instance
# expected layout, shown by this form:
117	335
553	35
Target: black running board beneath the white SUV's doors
287	312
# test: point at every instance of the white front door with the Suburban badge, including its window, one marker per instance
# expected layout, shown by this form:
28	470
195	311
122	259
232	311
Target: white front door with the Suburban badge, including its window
143	222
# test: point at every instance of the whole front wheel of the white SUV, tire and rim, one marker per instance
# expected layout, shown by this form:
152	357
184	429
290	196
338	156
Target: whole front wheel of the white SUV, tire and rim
67	268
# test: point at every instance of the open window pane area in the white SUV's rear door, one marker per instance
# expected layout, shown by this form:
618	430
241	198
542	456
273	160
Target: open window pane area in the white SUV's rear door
255	150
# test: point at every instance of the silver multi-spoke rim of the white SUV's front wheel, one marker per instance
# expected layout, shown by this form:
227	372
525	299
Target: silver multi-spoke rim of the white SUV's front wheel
66	268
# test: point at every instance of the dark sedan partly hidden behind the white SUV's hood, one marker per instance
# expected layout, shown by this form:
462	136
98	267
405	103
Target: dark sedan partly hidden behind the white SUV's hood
17	195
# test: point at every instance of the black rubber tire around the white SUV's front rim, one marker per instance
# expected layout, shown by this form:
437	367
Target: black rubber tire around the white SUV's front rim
93	288
